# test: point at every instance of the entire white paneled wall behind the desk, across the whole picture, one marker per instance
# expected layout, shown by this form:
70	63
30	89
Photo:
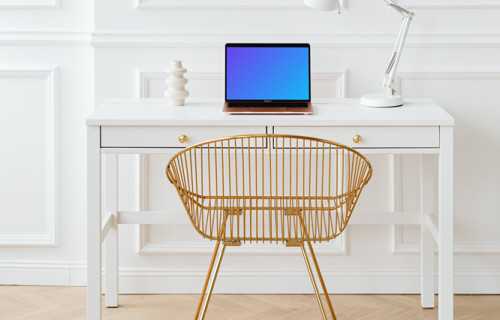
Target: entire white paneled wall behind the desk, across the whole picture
452	55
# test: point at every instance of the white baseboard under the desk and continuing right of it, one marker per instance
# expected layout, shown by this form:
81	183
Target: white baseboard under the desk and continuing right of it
339	280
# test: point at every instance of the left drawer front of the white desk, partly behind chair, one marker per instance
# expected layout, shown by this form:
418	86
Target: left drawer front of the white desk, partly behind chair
167	137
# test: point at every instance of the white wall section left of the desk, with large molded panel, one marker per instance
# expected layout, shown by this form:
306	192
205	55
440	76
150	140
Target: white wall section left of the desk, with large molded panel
46	68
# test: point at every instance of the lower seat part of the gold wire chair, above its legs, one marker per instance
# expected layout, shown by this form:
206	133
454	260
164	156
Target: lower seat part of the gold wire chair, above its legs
269	220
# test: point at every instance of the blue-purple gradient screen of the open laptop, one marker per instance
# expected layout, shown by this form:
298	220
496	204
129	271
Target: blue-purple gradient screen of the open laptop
267	72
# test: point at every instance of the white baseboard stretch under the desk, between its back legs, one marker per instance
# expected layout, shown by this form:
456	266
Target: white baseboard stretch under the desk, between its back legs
271	281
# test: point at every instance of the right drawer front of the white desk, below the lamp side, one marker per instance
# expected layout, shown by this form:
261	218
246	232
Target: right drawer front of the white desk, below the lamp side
371	137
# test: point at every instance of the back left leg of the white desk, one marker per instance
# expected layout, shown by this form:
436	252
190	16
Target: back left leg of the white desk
111	206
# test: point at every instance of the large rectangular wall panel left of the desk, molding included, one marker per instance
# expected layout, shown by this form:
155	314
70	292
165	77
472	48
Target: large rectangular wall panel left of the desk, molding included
29	165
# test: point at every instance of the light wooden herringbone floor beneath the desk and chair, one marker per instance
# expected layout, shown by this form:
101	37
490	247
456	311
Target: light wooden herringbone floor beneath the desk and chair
68	303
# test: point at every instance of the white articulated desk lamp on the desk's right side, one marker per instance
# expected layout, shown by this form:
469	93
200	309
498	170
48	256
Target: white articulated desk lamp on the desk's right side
390	98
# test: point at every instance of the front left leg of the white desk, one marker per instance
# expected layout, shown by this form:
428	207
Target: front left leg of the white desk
93	223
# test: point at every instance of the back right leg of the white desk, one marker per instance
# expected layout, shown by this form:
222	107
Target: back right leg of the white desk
427	289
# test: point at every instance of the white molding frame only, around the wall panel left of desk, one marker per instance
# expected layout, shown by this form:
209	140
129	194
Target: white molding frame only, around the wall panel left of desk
51	237
